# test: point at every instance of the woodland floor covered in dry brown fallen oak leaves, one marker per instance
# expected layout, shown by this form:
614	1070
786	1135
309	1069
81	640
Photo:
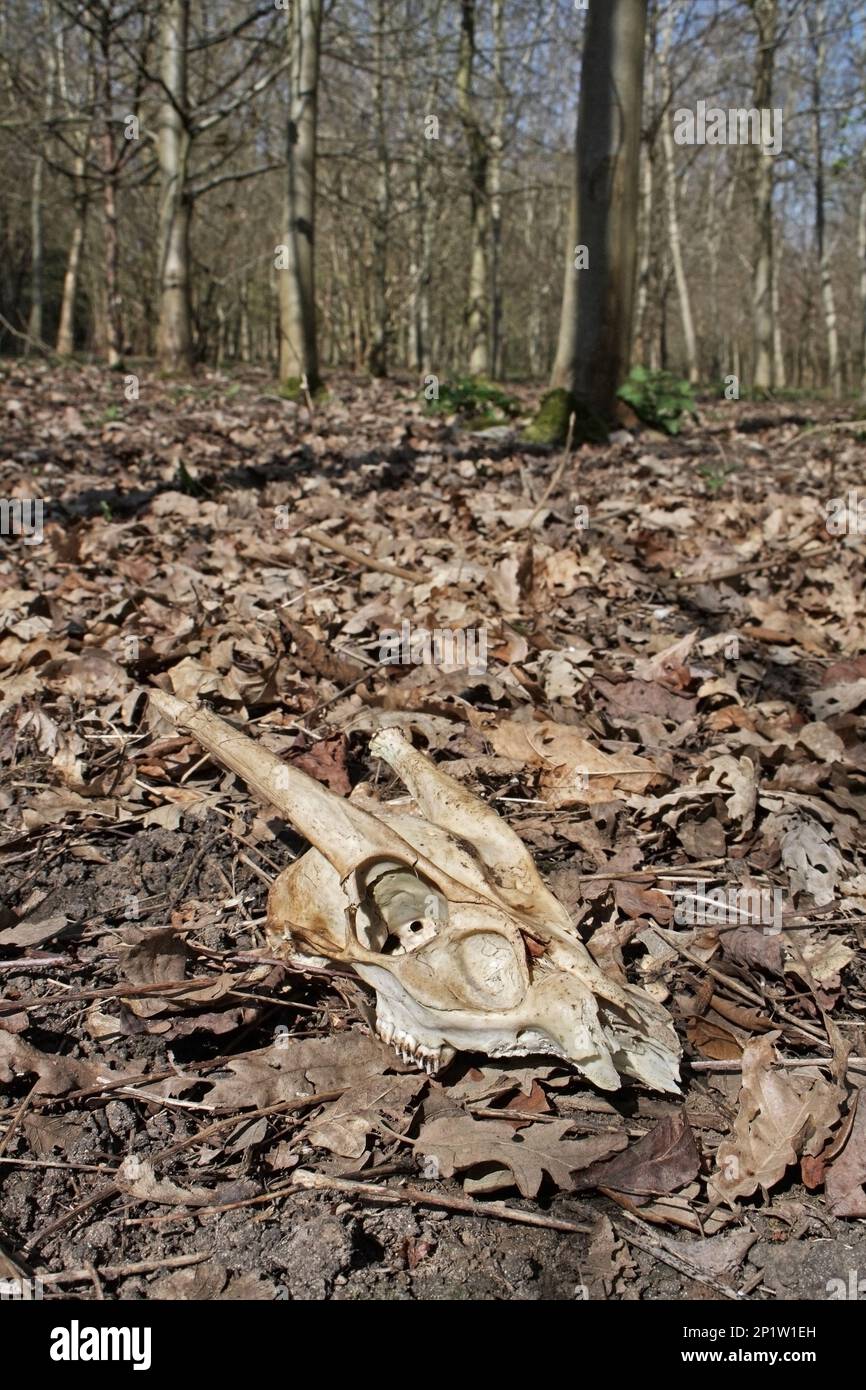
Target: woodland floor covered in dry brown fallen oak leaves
134	1013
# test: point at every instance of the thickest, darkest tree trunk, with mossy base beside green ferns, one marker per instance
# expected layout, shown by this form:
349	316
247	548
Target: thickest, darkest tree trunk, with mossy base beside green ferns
596	341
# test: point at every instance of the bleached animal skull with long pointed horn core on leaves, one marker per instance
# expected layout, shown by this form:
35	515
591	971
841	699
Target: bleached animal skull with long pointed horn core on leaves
439	907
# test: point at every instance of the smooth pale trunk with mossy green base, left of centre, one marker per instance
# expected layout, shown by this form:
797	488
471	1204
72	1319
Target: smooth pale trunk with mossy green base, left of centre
298	341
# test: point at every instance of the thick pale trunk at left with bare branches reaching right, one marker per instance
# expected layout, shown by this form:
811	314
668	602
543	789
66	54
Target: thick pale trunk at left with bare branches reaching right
174	336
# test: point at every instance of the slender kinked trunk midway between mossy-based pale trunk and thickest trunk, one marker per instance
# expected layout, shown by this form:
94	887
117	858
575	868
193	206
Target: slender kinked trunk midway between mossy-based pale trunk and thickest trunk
477	316
